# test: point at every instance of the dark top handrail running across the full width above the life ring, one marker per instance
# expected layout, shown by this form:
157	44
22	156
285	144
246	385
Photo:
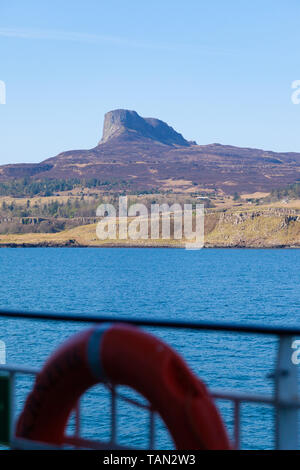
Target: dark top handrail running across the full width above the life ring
162	323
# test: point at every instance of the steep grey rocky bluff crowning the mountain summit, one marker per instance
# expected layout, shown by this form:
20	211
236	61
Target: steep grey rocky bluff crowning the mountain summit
124	123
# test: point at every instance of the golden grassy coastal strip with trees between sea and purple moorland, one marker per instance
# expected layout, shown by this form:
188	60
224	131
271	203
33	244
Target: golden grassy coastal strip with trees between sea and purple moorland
69	218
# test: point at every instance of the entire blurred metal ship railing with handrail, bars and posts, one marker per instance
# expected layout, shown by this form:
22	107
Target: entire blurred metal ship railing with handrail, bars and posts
285	398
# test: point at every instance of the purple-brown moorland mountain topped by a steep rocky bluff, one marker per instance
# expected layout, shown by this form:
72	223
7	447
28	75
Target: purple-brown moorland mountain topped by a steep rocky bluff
138	154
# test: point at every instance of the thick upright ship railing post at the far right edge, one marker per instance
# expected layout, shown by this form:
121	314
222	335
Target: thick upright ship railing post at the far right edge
286	390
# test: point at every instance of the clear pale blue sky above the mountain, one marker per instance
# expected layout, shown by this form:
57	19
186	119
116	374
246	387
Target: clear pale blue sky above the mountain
216	71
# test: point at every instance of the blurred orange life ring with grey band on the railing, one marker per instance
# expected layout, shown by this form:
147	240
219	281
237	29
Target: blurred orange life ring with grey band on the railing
122	354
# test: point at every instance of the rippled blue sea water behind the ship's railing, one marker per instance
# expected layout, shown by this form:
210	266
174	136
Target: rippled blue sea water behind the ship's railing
244	286
